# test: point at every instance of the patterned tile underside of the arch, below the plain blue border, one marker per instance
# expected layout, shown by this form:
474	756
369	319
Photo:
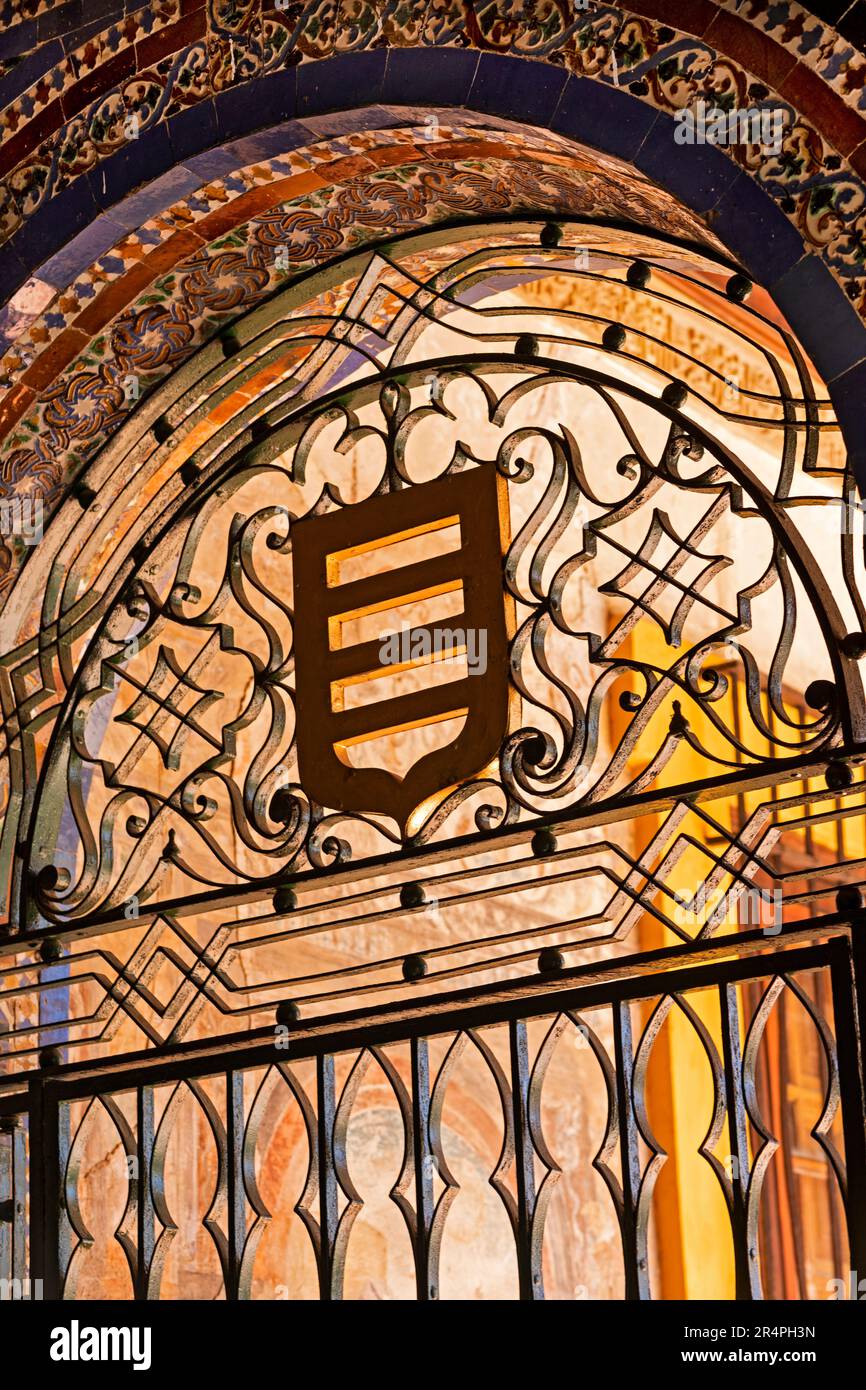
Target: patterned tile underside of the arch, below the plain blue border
66	372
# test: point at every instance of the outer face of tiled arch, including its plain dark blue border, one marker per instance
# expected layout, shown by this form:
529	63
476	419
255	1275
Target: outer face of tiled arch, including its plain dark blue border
573	81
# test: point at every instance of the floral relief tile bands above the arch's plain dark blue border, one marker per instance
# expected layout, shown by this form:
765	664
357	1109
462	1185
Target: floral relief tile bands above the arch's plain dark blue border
163	59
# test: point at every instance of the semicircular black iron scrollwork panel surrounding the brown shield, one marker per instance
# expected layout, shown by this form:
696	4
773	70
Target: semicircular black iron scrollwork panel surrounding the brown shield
183	746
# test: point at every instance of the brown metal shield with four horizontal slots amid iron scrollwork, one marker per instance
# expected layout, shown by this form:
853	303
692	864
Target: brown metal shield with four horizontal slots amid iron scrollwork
369	565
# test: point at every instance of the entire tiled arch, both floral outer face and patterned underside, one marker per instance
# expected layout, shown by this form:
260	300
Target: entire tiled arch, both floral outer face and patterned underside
98	98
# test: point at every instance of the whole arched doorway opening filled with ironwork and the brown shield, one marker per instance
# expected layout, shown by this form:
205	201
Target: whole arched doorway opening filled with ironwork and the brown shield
635	746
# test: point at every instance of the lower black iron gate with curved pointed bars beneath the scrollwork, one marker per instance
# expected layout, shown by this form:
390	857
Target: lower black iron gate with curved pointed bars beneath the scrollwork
494	1022
